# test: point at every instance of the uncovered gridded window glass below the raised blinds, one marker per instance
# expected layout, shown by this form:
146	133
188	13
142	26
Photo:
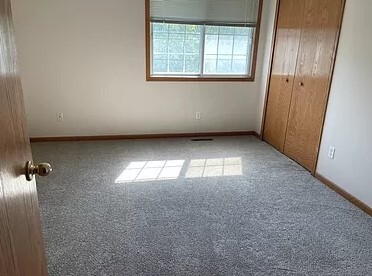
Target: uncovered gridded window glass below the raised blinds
184	50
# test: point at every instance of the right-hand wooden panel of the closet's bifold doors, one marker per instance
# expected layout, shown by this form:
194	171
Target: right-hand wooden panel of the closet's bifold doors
322	20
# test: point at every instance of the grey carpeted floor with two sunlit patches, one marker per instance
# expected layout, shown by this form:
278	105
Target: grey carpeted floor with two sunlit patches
231	206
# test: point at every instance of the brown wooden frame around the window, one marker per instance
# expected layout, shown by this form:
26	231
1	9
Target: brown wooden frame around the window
223	78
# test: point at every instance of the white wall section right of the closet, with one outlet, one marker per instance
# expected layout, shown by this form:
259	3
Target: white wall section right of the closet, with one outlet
348	125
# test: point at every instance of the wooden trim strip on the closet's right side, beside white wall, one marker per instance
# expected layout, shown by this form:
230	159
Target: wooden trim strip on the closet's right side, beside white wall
315	166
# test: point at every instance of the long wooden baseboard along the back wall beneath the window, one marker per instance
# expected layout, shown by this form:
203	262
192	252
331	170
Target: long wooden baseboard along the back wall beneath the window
141	136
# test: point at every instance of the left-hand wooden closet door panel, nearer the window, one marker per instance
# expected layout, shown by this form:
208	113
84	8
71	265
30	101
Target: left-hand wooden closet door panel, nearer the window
283	69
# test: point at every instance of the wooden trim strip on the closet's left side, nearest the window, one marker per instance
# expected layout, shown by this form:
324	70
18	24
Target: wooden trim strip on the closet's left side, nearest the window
270	69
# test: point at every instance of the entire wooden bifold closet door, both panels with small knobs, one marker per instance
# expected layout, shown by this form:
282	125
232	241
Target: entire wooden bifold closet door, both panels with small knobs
303	59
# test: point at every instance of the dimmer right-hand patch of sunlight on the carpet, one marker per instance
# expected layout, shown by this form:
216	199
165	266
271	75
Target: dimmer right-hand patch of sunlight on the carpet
215	167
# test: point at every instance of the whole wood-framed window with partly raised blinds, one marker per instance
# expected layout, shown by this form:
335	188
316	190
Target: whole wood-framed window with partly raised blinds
202	39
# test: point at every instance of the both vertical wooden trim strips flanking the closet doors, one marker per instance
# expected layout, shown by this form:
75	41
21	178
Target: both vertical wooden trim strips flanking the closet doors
263	120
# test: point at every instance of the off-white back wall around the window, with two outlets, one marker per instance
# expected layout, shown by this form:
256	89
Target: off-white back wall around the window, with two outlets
86	58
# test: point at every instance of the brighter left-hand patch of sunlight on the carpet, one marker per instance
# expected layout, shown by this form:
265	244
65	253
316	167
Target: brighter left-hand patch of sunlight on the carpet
151	171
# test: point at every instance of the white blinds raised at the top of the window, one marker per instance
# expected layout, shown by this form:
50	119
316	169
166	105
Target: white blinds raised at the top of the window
209	12
